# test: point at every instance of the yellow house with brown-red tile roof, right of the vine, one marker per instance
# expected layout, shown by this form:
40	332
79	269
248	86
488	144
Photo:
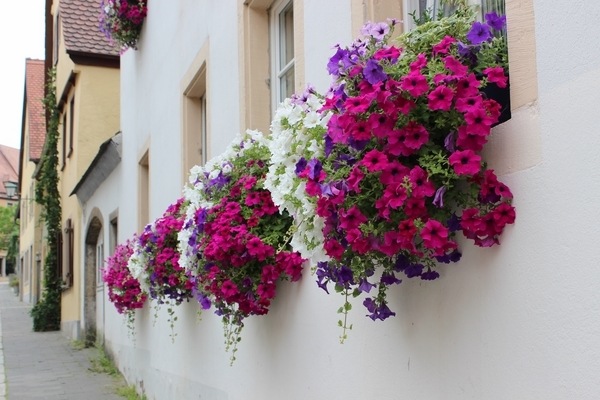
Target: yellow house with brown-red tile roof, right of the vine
87	84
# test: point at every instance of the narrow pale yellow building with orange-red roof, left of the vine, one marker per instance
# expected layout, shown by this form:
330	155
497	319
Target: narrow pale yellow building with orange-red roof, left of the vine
33	133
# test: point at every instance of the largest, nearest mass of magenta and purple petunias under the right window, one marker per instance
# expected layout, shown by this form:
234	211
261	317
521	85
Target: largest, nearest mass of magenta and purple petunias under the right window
402	173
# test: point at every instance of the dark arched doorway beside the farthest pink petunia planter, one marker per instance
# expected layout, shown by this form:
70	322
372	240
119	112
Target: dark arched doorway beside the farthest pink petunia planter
94	257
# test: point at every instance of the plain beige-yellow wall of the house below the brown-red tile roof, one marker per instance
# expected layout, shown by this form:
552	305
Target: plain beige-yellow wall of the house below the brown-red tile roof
96	119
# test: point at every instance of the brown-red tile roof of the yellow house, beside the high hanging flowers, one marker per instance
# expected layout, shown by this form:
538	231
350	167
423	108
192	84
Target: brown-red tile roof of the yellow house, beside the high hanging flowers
80	23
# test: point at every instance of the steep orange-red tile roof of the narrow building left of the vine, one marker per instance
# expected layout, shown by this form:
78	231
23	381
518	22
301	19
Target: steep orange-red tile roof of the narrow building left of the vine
34	95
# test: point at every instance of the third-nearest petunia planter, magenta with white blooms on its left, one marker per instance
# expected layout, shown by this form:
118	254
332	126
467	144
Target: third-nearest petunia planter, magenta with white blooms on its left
155	260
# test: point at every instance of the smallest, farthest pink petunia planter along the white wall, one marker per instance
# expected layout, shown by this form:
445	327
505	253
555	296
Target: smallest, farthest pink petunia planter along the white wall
124	291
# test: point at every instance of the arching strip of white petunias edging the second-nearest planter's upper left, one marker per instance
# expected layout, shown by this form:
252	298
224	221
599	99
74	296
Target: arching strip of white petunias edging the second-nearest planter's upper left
197	191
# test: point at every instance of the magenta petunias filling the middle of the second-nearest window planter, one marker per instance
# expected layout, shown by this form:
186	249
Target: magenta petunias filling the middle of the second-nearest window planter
242	264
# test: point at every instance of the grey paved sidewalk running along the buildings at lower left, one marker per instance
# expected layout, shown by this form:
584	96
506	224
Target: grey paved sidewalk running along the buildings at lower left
44	365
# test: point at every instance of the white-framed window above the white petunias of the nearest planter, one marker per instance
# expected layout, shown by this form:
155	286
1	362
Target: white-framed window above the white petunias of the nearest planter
282	51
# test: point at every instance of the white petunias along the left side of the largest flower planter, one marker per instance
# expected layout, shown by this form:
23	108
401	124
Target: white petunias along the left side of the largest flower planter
297	131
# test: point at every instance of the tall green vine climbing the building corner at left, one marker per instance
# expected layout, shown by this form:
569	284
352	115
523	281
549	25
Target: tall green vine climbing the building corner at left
46	313
